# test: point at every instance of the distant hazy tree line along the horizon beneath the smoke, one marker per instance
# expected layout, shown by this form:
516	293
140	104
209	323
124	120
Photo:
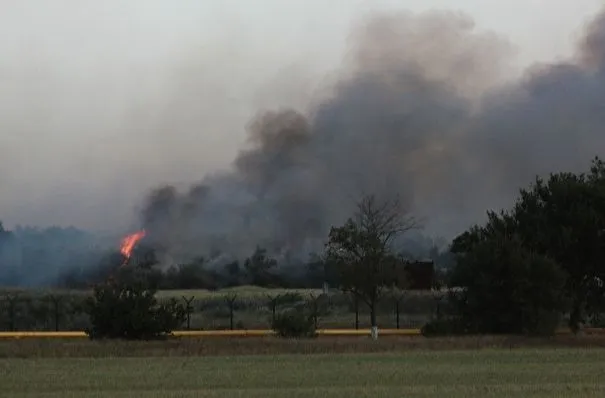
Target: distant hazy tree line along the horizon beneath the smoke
74	259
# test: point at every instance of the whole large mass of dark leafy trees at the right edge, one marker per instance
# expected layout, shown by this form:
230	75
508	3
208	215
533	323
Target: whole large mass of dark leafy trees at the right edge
556	225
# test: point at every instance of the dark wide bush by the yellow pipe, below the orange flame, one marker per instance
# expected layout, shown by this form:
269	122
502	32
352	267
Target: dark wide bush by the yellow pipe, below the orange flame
131	311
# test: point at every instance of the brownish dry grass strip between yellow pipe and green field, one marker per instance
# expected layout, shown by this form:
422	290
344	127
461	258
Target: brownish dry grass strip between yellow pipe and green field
221	346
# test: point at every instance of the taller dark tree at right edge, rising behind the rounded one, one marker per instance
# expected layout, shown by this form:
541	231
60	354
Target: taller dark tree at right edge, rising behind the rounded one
563	219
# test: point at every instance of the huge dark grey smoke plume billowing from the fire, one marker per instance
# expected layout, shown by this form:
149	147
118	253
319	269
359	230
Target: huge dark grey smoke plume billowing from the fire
420	110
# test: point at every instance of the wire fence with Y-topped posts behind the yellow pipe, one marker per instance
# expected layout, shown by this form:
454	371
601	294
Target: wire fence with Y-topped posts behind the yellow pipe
30	311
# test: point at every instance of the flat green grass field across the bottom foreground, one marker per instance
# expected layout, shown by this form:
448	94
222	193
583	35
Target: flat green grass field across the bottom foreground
480	373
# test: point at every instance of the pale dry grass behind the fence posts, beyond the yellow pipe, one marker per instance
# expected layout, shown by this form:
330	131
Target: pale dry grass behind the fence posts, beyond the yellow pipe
34	309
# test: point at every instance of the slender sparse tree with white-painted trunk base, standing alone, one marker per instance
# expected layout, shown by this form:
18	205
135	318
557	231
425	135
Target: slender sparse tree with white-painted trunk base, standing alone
360	253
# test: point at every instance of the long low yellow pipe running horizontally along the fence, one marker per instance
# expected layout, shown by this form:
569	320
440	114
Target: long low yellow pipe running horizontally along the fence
253	333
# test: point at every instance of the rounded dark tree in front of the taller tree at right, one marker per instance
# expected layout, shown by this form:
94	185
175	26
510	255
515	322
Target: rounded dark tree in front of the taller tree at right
507	288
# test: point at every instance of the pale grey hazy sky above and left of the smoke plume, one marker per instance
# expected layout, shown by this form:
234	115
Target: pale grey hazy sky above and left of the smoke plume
100	101
